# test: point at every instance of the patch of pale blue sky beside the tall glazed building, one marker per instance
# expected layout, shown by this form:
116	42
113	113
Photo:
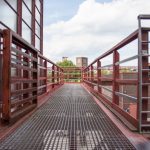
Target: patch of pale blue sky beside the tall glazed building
56	10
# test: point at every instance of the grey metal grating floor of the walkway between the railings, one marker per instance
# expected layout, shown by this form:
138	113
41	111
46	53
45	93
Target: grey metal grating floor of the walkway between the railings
70	120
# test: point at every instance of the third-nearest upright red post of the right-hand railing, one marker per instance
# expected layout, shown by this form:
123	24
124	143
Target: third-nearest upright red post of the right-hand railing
99	76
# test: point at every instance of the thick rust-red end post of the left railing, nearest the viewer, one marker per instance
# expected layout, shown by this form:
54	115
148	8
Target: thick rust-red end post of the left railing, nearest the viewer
6	73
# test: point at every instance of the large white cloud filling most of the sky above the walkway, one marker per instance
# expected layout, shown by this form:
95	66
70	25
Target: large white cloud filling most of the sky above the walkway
94	29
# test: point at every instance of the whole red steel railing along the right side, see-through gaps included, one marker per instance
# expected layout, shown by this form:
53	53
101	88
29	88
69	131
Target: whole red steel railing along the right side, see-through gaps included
121	89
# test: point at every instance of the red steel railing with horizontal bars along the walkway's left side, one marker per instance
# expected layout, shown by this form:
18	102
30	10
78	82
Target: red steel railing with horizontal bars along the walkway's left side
25	76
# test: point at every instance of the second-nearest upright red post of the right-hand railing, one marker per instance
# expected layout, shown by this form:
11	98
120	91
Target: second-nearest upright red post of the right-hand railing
115	98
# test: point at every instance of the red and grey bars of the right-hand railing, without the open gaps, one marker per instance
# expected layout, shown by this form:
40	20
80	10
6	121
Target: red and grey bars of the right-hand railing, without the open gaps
142	83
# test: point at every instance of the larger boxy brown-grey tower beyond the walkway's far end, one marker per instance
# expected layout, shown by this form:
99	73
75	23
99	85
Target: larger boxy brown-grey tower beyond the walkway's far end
81	61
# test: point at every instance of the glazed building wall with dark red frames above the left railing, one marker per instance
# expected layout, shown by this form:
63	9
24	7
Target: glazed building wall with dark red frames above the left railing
9	19
